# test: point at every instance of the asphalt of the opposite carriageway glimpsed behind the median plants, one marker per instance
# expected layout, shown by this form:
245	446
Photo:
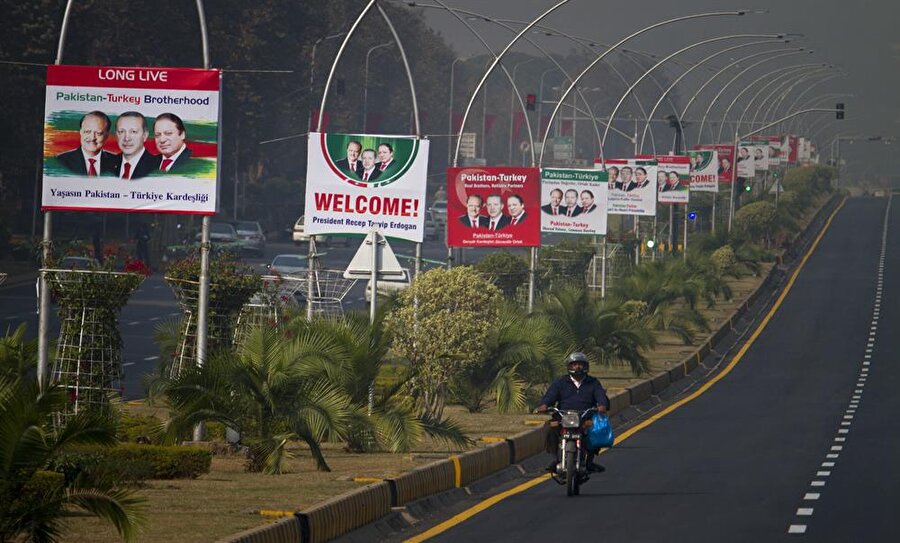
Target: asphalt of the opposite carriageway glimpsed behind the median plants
154	302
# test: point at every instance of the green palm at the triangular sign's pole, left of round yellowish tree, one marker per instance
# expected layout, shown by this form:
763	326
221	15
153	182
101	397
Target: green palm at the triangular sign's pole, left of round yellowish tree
393	423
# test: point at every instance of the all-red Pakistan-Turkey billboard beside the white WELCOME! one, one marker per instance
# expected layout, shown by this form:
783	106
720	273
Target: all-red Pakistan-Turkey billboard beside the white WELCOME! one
493	207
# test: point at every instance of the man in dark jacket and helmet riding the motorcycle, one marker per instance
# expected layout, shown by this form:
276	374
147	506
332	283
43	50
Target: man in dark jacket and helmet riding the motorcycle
576	391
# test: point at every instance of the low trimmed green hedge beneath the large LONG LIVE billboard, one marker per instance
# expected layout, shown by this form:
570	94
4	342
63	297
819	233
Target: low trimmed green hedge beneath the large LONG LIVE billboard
132	464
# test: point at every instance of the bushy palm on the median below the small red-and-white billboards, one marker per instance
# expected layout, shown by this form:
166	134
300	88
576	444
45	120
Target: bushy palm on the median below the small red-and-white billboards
668	292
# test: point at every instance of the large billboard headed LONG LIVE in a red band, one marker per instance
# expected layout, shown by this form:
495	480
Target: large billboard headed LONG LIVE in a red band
131	139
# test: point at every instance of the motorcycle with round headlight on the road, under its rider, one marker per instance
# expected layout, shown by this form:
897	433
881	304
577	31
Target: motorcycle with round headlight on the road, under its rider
571	466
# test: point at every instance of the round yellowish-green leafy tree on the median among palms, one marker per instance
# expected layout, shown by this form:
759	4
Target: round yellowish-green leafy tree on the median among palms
441	326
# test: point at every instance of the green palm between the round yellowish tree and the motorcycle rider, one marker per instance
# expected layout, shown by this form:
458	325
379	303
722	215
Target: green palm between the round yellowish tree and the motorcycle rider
517	353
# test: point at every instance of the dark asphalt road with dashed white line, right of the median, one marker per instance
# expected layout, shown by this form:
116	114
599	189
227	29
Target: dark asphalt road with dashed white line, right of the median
795	443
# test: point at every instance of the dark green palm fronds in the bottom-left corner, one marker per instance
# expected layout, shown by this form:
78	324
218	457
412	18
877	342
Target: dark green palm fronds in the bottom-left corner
35	502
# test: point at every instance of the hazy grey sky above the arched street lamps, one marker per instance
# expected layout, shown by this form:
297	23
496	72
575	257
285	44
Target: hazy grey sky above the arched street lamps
861	38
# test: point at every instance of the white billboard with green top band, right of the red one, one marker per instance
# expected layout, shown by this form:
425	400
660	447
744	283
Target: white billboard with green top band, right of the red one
574	201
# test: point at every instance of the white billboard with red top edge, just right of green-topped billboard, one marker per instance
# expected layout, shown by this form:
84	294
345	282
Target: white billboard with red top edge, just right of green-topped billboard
632	186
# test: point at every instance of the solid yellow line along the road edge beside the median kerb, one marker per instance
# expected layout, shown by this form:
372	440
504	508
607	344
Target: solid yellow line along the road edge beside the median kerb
493	500
